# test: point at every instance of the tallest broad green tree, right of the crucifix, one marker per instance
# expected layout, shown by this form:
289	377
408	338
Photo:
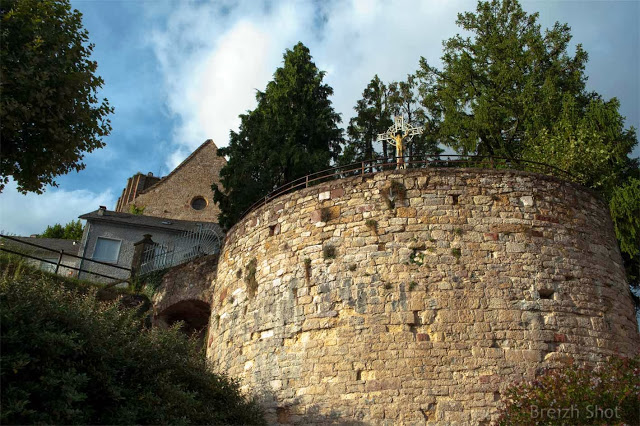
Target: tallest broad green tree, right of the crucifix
502	85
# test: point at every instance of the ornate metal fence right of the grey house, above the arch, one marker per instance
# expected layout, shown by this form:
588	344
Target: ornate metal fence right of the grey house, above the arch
190	245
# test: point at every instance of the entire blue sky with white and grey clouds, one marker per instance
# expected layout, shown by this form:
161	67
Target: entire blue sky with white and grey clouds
180	72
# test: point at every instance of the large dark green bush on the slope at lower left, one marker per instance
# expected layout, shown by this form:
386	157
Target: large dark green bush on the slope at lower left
68	358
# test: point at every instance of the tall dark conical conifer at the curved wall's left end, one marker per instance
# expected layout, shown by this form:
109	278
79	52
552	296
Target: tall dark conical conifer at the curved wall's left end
293	131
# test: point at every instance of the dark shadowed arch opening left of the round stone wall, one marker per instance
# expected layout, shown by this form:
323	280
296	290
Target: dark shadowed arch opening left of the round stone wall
193	315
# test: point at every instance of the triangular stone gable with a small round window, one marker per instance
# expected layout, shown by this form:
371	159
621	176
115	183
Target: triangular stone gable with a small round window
173	195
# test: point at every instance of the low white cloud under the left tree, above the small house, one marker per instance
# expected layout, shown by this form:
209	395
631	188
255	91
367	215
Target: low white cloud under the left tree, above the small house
31	214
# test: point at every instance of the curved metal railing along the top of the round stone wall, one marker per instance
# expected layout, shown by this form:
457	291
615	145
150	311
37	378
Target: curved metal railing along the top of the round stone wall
370	167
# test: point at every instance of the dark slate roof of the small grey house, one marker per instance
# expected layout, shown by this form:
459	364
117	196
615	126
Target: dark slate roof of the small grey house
142	221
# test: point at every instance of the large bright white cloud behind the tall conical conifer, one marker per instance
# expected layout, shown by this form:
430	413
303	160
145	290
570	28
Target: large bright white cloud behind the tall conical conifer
213	58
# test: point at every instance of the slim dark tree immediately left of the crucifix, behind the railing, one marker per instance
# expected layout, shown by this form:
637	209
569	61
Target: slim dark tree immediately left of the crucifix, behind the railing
372	117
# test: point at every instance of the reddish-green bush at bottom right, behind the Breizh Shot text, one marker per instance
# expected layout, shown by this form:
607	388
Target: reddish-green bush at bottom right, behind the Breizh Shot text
609	394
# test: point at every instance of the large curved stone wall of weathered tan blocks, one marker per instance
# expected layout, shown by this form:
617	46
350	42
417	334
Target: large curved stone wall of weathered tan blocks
416	295
